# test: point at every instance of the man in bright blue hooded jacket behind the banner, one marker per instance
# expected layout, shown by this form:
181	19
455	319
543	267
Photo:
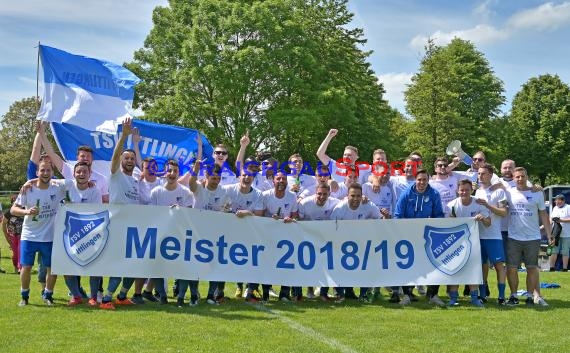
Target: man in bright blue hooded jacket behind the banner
420	201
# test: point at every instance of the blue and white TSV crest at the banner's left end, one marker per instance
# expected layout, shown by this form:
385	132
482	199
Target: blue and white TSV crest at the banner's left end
85	236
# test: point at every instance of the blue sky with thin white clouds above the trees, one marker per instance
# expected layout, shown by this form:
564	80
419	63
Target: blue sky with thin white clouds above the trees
520	39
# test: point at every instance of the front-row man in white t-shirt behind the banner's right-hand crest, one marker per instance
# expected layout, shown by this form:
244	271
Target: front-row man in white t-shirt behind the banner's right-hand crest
466	206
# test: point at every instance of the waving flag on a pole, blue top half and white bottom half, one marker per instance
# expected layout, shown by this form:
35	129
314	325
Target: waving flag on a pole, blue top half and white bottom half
94	94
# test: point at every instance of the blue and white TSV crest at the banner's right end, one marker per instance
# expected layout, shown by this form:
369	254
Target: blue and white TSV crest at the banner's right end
448	249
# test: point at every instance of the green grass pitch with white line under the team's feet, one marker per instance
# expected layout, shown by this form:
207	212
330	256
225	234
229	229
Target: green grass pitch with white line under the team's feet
310	326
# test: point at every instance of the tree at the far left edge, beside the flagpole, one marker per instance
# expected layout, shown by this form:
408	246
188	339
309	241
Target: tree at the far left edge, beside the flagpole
17	135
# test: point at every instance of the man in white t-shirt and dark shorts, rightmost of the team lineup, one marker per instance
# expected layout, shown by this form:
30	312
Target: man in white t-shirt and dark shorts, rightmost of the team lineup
525	209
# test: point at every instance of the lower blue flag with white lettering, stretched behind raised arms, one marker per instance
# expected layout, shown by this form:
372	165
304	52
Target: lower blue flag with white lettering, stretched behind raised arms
161	142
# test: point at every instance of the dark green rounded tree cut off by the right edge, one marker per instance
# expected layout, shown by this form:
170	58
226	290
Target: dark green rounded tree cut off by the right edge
539	127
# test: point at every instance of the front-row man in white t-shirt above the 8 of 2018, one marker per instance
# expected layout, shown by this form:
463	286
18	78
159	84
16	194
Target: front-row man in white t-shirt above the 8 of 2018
354	209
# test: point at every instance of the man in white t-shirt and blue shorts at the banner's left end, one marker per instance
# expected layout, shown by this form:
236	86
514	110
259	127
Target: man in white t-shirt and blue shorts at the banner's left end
38	206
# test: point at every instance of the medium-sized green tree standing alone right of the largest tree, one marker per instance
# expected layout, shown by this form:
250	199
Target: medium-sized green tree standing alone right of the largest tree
454	96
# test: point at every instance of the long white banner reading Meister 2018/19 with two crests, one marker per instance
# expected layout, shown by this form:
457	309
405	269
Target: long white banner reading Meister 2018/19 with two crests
156	241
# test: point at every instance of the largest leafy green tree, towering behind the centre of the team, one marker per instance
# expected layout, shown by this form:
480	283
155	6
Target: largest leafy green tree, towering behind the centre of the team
286	70
